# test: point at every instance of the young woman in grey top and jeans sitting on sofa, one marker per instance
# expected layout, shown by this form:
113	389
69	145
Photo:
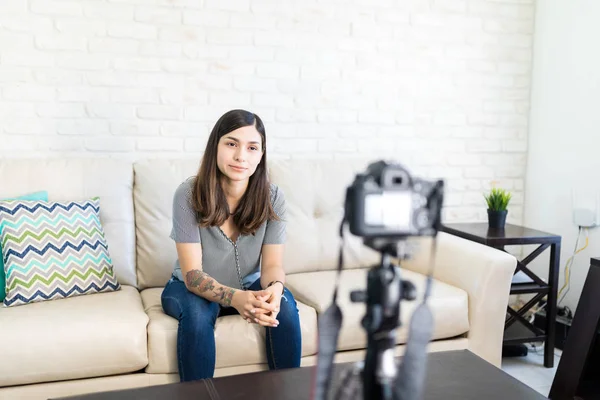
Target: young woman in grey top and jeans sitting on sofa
229	231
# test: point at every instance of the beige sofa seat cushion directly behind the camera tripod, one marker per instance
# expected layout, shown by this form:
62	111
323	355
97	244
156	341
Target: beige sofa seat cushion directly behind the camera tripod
448	304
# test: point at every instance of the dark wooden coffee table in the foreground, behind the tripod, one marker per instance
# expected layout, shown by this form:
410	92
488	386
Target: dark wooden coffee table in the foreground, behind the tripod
451	375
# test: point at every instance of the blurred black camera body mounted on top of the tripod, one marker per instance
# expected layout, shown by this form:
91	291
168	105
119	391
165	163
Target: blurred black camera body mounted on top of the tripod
387	202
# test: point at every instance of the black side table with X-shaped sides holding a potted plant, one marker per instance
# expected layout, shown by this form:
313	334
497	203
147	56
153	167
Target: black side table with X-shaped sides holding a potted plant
517	329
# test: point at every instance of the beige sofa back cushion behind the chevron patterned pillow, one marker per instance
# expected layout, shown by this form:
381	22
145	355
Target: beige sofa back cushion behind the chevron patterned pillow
81	178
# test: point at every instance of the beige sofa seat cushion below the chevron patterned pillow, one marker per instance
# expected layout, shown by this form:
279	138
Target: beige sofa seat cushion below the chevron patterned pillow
79	337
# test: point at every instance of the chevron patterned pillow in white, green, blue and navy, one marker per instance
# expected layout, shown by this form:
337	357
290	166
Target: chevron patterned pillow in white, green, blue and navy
53	250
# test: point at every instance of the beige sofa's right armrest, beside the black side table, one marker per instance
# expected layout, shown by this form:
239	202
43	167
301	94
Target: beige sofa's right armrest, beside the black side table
485	274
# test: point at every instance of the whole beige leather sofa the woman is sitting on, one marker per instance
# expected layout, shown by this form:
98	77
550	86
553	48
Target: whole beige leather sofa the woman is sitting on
123	339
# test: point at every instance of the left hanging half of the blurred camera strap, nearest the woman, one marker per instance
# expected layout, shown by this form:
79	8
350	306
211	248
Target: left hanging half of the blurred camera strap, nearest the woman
330	323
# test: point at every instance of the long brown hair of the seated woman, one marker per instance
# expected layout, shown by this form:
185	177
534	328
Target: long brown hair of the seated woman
208	197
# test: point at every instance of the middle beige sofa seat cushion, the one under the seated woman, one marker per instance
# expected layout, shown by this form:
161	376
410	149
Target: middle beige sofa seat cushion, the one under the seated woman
238	342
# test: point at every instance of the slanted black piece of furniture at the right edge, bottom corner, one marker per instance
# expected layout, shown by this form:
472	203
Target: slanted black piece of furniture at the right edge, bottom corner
579	366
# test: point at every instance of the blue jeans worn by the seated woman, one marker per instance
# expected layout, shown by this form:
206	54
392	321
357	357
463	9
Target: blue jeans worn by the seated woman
196	350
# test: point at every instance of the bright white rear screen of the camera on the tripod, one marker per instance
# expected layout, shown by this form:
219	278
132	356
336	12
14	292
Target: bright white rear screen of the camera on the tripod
390	209
